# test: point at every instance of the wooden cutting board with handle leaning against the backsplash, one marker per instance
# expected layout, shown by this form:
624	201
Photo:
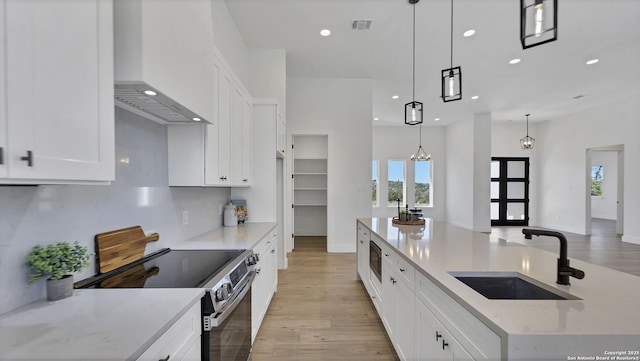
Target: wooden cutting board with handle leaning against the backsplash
120	247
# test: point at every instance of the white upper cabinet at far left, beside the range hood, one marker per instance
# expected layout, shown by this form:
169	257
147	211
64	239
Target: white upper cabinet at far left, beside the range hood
56	64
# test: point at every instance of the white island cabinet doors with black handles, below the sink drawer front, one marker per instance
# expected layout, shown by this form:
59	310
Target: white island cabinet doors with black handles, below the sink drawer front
432	339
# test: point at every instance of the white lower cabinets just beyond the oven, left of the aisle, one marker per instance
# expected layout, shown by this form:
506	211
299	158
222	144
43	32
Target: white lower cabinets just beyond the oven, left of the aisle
266	282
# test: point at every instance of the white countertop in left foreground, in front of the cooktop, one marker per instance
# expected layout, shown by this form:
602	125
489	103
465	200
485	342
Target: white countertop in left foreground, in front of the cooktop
93	324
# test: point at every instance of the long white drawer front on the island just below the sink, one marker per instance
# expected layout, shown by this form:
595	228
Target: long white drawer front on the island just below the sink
480	341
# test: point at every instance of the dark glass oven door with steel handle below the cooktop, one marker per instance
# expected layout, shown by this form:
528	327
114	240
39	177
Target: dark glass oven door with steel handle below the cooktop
229	337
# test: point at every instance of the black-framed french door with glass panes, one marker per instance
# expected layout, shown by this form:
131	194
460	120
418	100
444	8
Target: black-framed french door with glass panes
509	191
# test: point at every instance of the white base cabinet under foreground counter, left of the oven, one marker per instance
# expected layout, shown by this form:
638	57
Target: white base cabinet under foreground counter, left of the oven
180	342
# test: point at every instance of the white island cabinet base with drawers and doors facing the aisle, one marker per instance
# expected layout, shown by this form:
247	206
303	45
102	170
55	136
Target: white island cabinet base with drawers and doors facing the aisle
422	321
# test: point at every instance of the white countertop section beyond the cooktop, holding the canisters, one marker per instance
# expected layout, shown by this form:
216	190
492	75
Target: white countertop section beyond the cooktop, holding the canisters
243	236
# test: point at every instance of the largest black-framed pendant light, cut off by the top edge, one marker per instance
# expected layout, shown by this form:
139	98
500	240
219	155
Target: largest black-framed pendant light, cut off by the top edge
538	22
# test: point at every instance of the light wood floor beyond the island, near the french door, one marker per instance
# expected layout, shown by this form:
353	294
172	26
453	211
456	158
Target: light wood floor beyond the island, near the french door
603	247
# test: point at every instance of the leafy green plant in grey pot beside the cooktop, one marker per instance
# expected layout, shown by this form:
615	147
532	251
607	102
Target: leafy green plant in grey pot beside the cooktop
57	261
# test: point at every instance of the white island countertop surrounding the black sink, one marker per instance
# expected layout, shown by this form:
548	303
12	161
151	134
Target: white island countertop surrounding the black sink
609	302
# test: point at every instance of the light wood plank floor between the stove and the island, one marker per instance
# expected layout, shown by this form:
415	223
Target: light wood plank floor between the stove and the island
321	312
